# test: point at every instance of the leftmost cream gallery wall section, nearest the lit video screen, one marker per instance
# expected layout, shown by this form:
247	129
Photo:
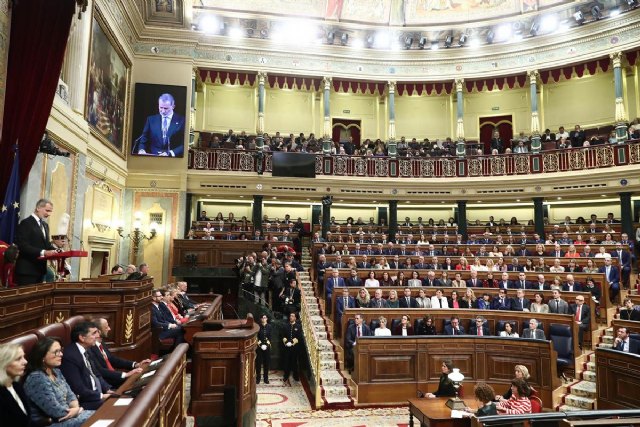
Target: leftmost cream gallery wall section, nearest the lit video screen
221	107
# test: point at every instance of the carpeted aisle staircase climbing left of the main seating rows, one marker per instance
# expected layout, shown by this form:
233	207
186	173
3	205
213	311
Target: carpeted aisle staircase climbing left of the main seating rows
332	385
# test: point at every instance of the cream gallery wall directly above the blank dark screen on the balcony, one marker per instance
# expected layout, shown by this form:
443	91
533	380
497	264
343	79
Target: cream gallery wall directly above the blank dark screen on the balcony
288	111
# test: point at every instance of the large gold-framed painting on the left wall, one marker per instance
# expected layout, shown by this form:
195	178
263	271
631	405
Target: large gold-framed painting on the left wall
108	79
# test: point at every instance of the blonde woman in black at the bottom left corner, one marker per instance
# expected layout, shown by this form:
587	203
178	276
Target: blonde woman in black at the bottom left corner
14	405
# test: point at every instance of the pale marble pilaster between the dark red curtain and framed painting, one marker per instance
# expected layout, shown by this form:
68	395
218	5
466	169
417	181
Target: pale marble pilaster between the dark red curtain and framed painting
74	69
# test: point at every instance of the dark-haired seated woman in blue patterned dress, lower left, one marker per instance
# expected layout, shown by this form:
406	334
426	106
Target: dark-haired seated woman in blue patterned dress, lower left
49	394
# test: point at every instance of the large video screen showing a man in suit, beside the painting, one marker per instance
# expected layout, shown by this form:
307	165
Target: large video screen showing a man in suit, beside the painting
159	120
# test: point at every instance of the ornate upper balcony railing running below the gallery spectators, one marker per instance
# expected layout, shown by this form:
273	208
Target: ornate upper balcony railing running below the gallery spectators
594	157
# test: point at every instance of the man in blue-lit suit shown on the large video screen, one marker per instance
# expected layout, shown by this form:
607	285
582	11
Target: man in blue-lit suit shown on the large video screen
163	133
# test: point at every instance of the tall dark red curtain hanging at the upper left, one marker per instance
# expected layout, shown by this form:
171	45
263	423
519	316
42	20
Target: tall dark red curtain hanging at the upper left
39	33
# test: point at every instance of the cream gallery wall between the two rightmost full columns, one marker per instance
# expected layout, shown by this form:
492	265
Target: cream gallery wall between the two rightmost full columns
588	101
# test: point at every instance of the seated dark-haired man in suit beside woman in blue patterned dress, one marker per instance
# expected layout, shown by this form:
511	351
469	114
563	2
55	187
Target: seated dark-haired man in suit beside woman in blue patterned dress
83	378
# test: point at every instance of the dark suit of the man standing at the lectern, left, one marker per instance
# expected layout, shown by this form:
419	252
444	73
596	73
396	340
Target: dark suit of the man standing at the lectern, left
31	242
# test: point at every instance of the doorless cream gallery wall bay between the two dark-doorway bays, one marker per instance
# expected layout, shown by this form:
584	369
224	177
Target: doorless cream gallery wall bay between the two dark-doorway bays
423	117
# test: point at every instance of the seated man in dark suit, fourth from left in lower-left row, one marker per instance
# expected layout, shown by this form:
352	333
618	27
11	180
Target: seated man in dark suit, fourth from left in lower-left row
107	363
